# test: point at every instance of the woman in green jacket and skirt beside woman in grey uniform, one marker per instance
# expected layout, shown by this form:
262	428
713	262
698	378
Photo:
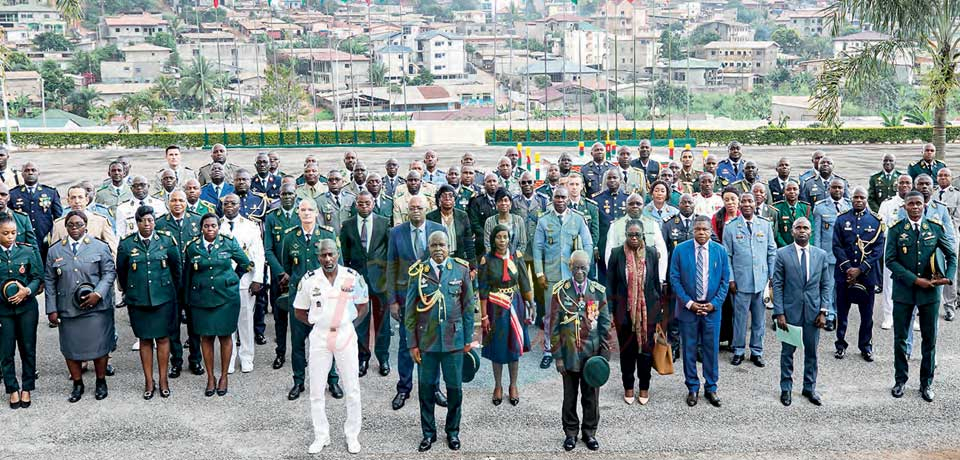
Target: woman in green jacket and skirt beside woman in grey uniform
148	269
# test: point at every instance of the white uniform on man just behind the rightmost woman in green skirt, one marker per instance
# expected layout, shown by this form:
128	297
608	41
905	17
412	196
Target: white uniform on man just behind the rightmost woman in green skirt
247	234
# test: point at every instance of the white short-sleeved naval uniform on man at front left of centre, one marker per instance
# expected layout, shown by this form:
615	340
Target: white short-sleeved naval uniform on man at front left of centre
332	310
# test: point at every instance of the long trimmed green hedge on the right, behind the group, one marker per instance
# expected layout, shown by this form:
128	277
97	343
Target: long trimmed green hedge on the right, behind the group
761	136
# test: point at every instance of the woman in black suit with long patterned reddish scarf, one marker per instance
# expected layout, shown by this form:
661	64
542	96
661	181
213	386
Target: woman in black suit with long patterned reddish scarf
634	289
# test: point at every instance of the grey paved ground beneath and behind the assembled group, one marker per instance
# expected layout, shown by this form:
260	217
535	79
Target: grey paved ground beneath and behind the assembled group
859	419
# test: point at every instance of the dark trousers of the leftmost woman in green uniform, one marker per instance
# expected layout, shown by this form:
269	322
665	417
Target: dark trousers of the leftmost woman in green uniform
19	331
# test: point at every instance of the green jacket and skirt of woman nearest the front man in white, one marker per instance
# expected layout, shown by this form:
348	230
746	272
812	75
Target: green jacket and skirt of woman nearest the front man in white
212	284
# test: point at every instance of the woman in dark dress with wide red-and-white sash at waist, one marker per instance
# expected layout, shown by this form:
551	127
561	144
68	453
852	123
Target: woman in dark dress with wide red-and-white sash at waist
506	298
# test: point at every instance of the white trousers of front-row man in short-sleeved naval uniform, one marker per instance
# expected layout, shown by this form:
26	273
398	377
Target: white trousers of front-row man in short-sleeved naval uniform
321	359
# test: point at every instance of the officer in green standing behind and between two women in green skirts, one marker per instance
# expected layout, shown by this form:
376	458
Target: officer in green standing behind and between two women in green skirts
183	227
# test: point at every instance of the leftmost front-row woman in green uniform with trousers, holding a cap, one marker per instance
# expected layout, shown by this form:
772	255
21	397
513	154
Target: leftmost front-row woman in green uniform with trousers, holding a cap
19	264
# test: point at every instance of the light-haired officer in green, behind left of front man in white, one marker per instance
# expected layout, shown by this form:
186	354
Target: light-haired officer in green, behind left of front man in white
298	257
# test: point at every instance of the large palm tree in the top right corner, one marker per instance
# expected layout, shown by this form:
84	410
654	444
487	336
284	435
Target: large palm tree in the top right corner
929	27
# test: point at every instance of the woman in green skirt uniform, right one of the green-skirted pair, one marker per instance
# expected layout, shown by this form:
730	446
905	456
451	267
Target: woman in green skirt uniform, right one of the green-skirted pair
212	292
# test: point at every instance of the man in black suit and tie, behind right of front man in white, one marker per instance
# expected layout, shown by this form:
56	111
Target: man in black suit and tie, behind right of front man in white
364	242
